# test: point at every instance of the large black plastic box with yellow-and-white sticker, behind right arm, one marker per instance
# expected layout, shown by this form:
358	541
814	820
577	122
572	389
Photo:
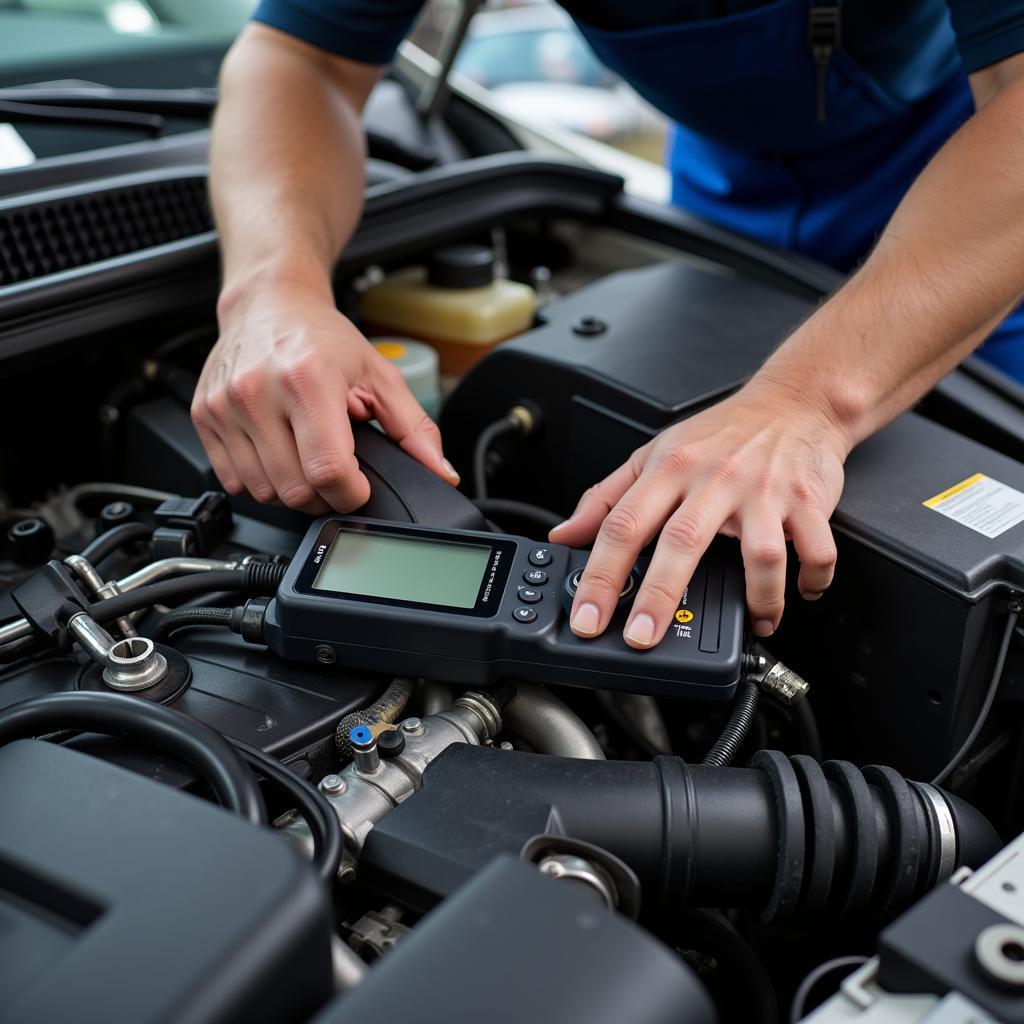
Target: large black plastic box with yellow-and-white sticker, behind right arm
902	650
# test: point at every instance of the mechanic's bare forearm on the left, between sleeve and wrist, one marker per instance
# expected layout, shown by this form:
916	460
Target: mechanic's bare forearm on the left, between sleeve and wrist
286	167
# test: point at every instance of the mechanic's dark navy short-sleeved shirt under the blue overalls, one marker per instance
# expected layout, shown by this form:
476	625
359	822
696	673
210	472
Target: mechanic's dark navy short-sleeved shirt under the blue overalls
880	34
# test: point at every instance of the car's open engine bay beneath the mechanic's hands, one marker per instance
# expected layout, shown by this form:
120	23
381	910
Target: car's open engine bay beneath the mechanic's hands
400	833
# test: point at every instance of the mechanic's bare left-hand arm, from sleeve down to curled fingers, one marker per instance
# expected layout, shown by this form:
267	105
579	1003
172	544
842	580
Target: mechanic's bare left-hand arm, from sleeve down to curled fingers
274	400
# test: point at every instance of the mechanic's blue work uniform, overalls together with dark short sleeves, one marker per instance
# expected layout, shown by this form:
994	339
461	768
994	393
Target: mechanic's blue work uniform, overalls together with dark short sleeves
801	123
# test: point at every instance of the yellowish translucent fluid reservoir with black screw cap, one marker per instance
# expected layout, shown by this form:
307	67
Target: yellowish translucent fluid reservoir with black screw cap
456	304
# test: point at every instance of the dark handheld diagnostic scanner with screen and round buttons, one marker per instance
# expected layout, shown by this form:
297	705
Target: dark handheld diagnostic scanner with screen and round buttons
474	608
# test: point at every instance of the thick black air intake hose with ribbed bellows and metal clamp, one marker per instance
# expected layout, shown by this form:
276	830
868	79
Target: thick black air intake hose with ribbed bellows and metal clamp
787	836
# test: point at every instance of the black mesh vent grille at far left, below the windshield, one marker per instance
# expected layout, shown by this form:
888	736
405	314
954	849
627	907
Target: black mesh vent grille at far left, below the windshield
47	237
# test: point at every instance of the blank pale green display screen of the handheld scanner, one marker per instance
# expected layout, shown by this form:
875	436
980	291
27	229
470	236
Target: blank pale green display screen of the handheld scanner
405	569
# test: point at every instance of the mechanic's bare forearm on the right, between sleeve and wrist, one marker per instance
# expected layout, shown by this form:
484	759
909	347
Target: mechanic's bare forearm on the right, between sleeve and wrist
949	268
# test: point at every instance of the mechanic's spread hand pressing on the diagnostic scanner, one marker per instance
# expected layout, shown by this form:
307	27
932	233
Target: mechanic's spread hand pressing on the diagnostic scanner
763	465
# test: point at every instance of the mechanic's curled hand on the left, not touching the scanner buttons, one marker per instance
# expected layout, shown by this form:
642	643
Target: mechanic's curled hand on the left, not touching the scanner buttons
274	401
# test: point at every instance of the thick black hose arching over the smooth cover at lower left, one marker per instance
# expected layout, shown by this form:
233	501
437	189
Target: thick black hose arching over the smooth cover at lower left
169	732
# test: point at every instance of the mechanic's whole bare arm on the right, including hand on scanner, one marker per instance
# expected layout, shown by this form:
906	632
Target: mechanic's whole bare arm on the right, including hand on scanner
766	464
